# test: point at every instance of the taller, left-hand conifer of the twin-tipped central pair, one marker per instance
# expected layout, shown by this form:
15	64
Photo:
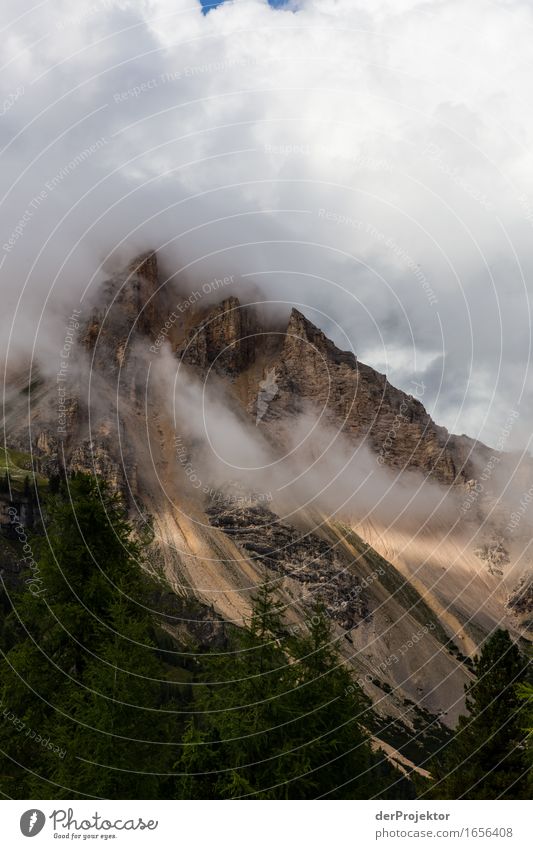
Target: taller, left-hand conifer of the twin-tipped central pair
240	710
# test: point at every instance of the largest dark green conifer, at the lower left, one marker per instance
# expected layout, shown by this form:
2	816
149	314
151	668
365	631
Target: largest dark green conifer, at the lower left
85	672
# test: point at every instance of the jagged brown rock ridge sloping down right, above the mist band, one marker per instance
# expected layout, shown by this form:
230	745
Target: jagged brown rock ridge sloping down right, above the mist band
302	370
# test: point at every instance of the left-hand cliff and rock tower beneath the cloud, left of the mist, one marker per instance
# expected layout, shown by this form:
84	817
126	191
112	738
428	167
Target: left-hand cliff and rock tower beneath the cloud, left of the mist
82	419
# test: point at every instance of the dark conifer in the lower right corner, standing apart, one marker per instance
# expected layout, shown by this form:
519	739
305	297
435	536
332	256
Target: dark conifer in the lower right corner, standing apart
486	757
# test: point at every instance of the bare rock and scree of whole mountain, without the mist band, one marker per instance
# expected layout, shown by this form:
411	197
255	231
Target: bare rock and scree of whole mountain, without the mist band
380	588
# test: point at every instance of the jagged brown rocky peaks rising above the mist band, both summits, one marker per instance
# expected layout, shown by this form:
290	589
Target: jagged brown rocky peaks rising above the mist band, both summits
275	374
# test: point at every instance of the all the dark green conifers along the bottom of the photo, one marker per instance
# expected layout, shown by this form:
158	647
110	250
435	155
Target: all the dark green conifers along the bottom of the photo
98	700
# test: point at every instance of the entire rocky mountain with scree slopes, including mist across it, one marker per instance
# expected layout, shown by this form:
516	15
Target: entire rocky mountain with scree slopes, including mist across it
258	450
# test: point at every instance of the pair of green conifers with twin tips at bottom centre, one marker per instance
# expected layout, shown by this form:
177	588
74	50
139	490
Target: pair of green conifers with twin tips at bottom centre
280	719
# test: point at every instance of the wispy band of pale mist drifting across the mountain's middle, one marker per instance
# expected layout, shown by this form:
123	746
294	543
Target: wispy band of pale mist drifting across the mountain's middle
313	470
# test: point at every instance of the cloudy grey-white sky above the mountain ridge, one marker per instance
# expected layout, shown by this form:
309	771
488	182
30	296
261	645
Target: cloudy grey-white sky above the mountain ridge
369	161
